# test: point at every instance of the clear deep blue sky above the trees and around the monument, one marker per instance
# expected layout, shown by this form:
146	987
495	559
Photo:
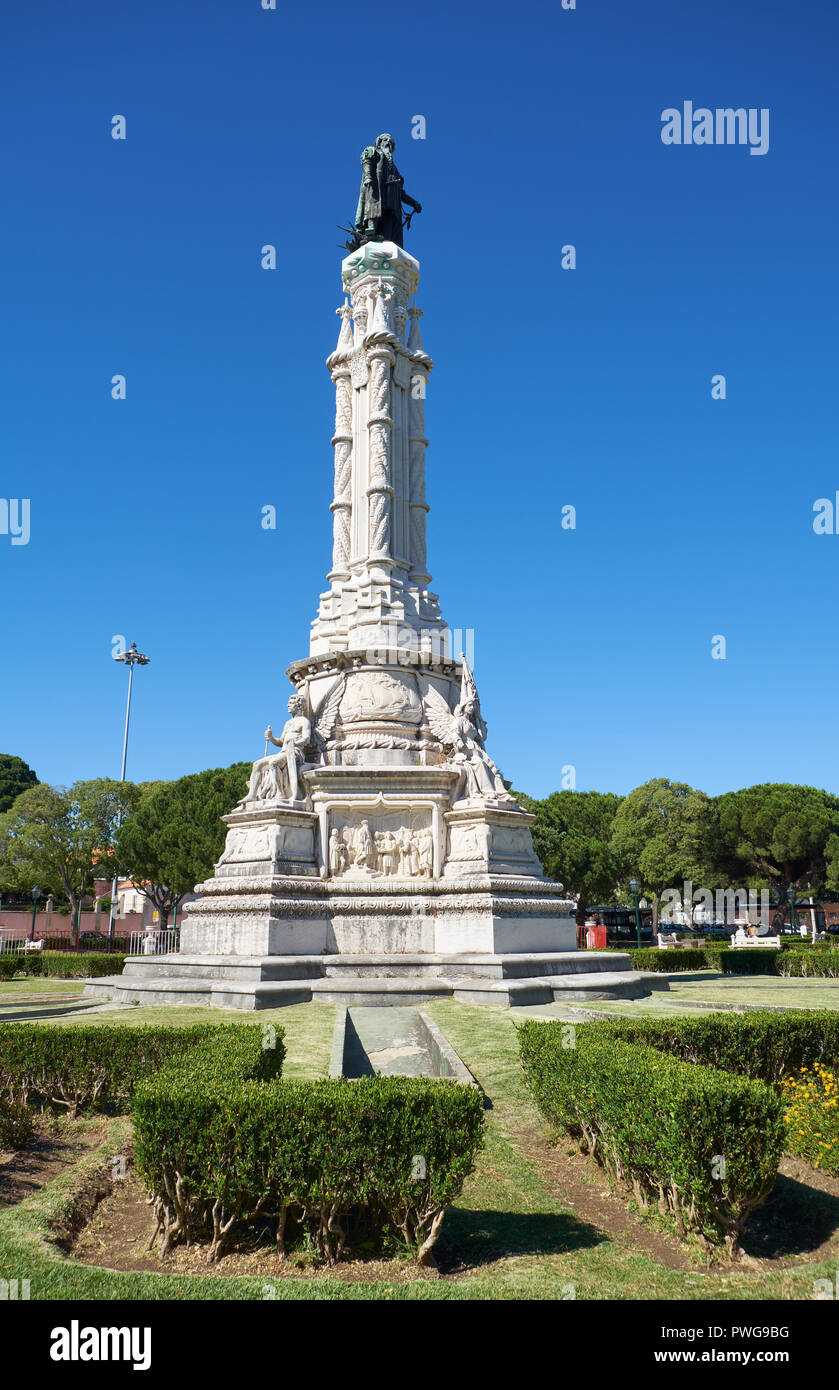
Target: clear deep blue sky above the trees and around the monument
590	387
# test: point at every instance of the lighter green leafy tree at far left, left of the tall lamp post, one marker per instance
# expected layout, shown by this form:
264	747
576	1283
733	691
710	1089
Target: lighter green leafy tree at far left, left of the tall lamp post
59	837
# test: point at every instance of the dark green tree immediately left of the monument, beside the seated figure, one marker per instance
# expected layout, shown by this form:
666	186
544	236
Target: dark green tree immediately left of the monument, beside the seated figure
176	835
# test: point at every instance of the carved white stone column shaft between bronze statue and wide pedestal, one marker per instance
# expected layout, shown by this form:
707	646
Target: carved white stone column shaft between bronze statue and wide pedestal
380	583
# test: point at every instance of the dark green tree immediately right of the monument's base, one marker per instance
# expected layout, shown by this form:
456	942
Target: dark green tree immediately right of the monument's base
573	839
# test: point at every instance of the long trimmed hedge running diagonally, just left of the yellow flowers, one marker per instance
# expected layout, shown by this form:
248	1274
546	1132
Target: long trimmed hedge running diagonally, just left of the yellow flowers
661	1125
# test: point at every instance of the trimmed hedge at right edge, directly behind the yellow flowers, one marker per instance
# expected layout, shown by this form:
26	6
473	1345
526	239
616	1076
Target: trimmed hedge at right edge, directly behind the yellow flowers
763	1046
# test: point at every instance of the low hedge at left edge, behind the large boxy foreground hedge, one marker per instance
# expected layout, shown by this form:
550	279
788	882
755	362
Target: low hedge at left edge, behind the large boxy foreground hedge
90	1065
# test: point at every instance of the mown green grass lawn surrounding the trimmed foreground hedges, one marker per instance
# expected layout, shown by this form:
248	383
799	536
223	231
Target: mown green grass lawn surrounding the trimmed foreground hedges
510	1236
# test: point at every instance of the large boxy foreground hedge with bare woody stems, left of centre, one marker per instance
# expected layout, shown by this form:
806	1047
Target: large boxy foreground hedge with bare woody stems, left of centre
333	1164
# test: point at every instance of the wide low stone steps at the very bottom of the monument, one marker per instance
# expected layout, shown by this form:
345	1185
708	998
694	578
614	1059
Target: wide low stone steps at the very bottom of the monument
273	982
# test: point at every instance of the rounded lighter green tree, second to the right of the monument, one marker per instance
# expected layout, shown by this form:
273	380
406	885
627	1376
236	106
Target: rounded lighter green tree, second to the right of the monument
663	835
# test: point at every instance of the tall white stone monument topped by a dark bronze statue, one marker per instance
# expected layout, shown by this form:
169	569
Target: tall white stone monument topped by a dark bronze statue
377	854
